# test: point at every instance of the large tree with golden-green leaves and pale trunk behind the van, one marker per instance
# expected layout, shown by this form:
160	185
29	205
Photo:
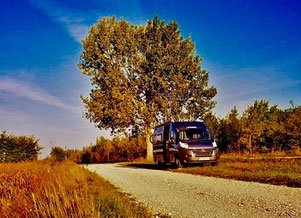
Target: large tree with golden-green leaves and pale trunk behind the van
142	76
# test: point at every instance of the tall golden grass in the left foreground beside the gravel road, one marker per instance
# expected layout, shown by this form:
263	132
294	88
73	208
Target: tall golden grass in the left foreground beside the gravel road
44	189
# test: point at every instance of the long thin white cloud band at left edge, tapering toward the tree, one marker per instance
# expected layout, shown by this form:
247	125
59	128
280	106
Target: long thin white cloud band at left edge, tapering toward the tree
32	92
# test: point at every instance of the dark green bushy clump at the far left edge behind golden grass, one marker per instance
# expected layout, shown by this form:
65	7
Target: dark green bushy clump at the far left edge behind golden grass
18	148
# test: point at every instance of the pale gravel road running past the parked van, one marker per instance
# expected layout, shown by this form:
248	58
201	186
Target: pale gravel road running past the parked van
184	195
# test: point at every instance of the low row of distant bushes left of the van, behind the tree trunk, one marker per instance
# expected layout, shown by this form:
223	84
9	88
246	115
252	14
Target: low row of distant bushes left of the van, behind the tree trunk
104	150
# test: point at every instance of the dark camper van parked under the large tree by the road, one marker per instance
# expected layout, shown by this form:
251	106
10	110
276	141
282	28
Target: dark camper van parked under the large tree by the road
183	143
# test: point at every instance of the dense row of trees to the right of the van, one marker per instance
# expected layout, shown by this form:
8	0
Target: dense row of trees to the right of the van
260	128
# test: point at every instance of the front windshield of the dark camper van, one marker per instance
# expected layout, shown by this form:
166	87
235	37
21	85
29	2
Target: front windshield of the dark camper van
194	134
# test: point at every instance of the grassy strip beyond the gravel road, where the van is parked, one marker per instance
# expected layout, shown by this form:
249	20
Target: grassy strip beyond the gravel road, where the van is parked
271	168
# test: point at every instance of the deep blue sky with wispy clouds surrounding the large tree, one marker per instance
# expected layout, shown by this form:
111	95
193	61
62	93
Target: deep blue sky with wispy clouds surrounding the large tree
252	50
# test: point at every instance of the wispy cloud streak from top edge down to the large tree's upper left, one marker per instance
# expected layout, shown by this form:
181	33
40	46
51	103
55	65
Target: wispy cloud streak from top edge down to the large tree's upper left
72	22
